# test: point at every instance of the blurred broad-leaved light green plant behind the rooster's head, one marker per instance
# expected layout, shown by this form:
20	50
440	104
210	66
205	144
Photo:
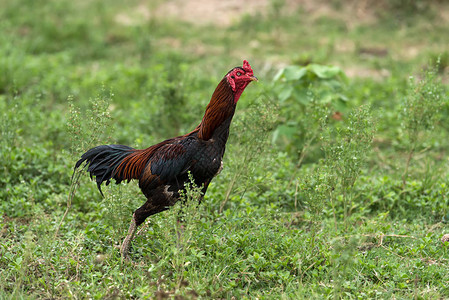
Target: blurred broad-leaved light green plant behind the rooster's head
292	86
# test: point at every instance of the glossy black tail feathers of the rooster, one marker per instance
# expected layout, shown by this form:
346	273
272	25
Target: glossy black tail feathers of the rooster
102	161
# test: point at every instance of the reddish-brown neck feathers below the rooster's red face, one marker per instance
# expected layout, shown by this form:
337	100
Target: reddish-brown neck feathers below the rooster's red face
220	109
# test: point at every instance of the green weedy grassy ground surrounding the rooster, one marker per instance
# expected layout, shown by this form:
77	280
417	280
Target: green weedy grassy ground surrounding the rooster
335	182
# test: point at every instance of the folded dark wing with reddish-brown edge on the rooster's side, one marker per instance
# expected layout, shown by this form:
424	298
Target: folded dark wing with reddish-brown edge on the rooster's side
168	162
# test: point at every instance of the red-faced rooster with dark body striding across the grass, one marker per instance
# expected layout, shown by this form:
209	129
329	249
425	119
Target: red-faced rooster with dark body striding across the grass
163	169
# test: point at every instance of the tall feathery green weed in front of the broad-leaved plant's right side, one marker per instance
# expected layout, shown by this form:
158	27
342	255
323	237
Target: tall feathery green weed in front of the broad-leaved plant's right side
346	147
